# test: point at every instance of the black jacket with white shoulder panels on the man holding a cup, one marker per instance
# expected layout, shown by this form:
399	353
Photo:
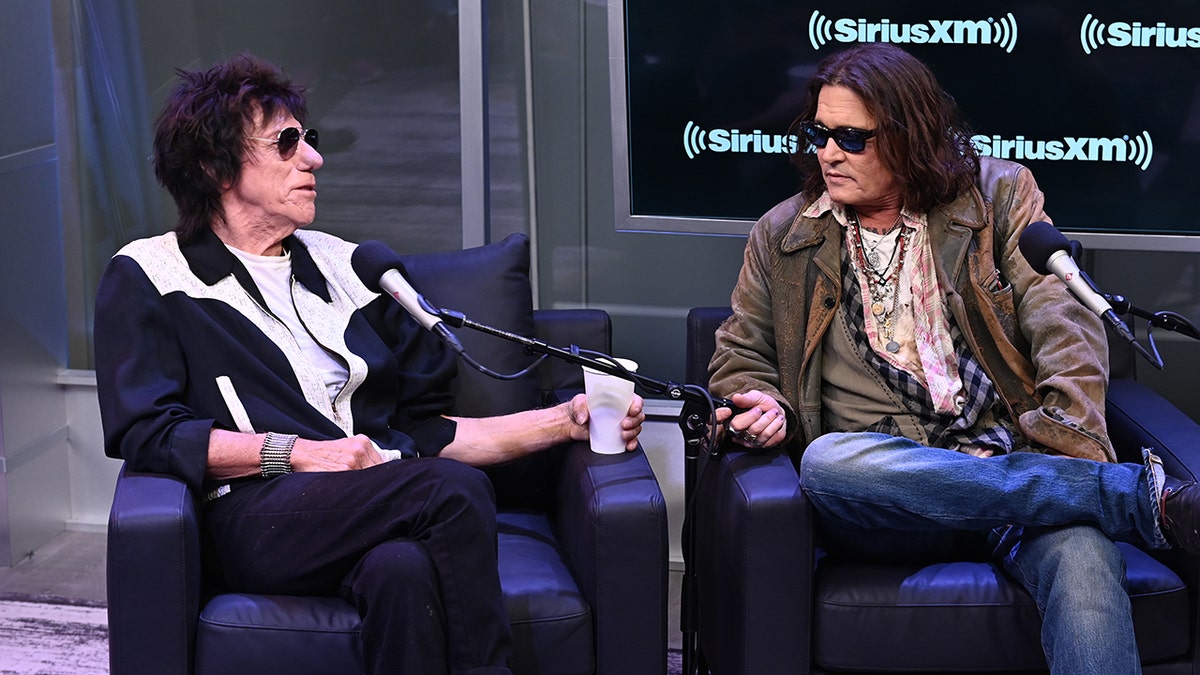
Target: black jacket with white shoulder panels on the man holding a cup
185	344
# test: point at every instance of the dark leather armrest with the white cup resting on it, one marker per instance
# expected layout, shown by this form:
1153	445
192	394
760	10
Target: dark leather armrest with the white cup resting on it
613	523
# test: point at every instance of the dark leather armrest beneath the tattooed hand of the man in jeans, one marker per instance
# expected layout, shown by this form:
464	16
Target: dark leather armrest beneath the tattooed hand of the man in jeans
755	558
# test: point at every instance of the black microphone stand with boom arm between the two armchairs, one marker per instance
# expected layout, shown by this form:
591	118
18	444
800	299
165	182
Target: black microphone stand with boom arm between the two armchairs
697	421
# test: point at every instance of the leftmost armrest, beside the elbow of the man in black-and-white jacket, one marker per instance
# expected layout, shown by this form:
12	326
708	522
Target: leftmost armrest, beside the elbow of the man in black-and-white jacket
154	575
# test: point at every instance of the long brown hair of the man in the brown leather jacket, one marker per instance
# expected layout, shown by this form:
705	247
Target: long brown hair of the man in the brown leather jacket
921	136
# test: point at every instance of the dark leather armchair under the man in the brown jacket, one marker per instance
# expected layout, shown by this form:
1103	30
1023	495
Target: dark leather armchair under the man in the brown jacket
771	600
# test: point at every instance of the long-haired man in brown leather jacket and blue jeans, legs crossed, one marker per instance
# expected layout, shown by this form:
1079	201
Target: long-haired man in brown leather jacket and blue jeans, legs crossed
934	386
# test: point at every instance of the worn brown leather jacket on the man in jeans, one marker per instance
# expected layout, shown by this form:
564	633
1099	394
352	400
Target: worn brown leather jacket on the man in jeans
1045	351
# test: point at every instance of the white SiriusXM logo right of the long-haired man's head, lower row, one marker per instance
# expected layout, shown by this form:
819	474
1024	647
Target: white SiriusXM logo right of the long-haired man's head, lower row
1138	151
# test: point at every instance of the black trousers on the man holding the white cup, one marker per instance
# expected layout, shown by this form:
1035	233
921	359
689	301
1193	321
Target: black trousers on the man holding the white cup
411	543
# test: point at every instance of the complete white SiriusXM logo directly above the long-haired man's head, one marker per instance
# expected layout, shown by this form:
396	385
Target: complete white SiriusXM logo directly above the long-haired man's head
935	32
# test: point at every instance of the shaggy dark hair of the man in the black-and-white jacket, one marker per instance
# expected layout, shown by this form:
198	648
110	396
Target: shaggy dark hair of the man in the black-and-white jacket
201	135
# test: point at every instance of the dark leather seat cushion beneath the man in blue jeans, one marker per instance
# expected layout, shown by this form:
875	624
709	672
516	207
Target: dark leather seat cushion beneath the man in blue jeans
967	616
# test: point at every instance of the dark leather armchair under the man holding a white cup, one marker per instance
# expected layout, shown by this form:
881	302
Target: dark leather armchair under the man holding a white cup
583	537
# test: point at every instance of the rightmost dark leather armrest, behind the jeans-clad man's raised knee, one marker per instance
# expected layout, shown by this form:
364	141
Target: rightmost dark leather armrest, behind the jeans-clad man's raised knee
1141	419
